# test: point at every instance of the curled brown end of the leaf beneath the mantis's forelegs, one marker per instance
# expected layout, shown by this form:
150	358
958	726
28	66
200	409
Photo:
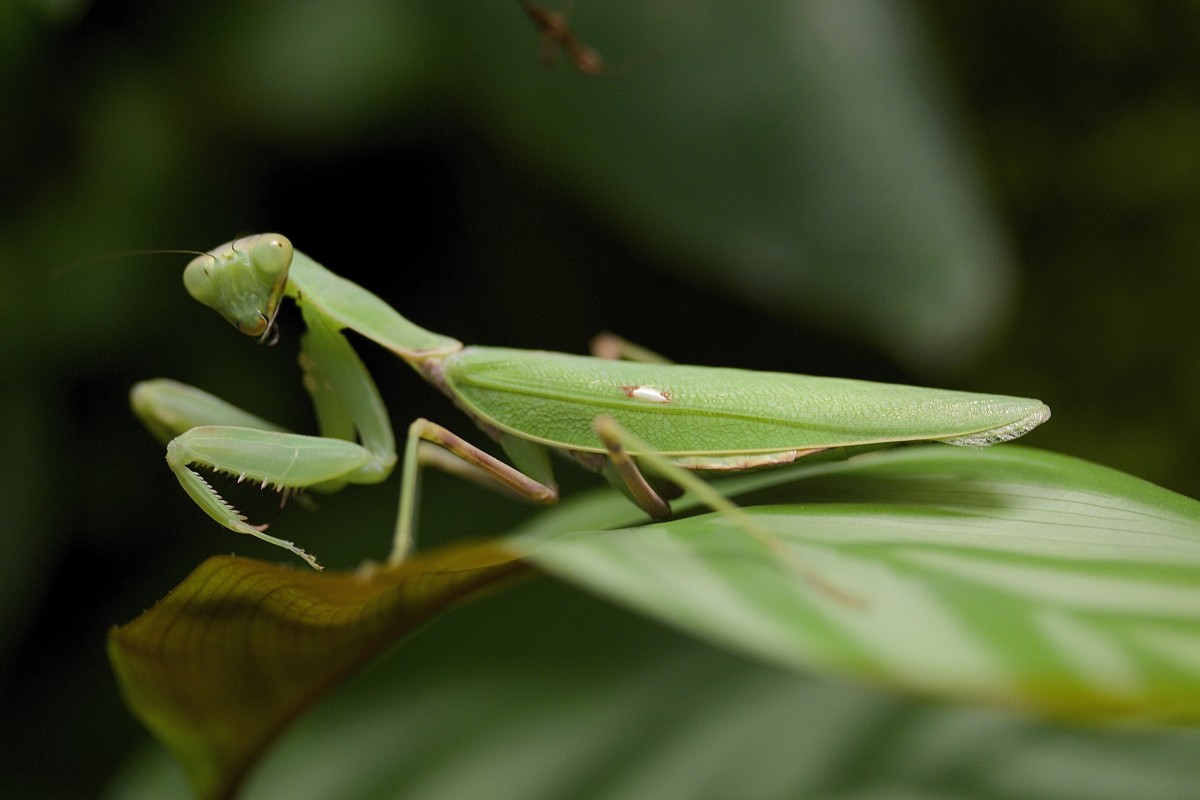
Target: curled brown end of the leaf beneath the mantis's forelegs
220	666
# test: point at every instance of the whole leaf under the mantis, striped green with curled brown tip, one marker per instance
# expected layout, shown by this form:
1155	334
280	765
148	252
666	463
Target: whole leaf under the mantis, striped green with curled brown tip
1010	578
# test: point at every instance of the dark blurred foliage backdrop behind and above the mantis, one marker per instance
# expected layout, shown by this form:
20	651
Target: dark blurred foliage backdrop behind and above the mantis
991	196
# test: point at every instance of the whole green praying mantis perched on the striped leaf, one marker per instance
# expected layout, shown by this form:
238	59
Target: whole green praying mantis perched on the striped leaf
645	424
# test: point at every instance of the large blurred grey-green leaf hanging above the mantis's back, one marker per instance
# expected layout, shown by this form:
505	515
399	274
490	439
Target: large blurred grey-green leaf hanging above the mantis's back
796	155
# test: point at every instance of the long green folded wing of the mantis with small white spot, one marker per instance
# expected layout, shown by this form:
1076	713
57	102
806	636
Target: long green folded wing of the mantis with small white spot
685	411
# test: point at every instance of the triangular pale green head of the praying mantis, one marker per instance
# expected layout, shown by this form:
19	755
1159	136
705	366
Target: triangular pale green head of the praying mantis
244	281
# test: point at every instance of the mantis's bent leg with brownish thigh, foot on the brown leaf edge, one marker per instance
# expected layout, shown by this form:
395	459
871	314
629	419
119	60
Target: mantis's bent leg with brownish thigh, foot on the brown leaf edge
433	446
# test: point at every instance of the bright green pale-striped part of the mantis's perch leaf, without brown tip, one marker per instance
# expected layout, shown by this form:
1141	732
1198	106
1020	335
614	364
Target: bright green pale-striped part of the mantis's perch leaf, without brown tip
1011	576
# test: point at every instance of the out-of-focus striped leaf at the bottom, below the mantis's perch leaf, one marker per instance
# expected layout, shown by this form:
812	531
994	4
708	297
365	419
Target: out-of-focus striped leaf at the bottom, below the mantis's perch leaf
545	694
